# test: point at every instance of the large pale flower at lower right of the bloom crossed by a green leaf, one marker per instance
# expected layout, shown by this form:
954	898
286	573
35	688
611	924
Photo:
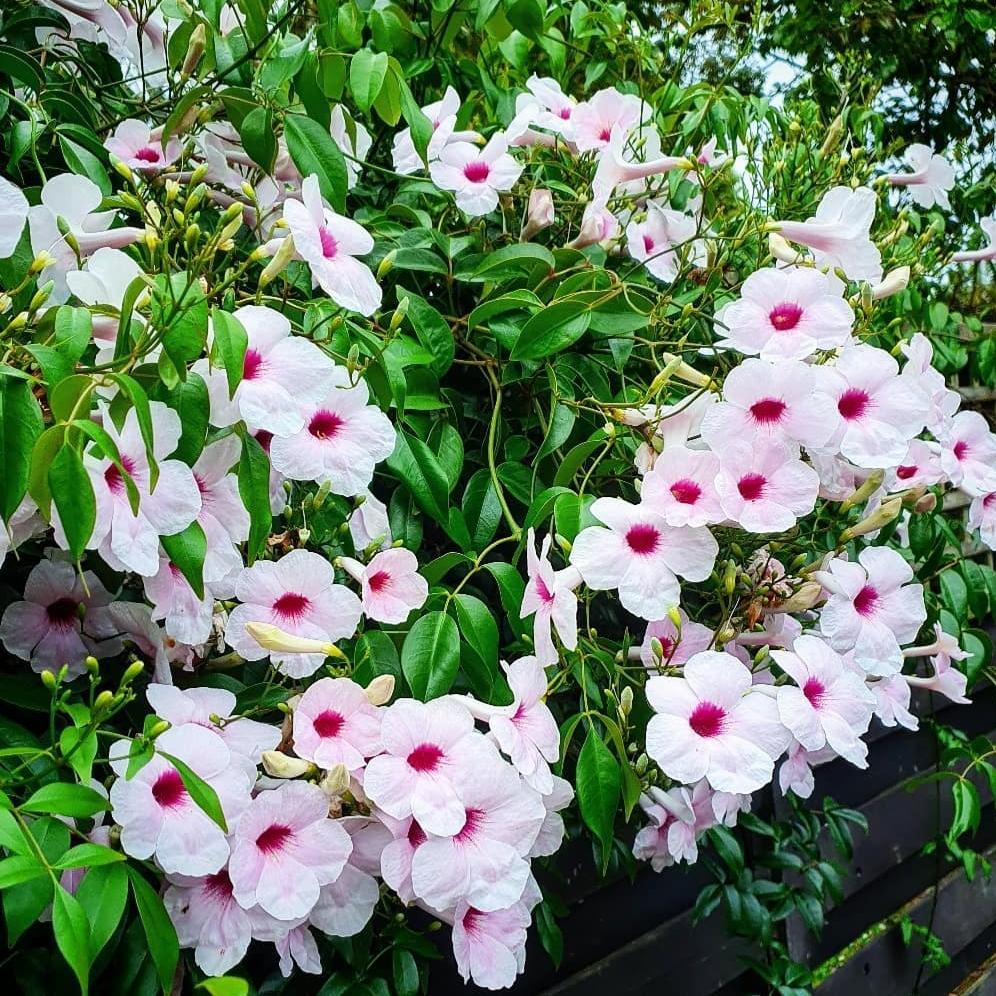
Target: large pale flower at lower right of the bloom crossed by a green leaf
285	848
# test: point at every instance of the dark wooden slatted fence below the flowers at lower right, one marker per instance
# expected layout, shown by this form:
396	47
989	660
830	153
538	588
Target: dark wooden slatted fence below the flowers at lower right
635	938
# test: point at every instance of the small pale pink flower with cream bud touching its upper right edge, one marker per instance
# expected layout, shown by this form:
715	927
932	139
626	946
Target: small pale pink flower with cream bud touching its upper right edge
334	723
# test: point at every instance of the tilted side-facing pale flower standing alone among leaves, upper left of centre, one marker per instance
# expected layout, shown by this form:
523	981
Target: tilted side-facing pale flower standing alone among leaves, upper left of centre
329	243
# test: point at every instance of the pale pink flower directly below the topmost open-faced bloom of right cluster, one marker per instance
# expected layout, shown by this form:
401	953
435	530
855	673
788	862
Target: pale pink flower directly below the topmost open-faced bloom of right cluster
779	401
